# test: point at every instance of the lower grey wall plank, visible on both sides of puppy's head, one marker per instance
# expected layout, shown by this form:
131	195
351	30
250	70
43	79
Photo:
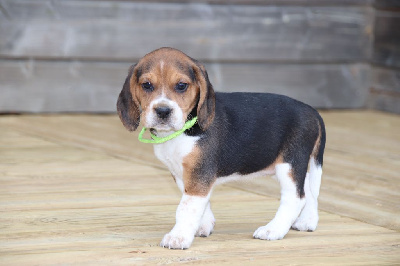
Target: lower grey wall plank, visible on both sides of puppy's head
42	86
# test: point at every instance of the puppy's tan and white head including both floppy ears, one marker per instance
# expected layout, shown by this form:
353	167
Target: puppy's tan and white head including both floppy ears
162	89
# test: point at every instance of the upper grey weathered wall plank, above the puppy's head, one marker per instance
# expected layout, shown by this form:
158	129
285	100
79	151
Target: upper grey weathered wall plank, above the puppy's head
108	30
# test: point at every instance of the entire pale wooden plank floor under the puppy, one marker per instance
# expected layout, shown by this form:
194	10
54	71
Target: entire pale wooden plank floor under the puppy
79	189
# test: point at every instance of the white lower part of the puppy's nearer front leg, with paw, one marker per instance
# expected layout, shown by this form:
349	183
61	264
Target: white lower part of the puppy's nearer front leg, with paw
188	217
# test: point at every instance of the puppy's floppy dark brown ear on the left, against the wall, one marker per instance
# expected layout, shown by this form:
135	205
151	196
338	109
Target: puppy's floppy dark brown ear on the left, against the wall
127	106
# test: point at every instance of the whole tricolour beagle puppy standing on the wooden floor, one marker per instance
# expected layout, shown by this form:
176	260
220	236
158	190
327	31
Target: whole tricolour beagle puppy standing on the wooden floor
237	135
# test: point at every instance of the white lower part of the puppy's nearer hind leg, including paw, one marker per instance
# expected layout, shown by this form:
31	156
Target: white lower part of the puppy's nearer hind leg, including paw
290	207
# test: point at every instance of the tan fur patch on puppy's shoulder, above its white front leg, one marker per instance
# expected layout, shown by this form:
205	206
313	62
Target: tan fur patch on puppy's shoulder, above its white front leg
193	185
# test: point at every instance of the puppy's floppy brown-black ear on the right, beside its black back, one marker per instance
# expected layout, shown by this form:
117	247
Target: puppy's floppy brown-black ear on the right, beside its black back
206	105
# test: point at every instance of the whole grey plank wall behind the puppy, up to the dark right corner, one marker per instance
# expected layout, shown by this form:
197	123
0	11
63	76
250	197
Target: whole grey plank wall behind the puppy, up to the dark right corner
58	56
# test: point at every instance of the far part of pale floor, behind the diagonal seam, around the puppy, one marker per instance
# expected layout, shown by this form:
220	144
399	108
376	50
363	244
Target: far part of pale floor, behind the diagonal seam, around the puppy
361	159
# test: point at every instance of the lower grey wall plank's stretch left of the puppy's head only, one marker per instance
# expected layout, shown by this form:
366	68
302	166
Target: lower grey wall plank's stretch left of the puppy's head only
30	86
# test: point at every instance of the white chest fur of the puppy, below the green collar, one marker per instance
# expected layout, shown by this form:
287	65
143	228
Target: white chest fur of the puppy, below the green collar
172	153
